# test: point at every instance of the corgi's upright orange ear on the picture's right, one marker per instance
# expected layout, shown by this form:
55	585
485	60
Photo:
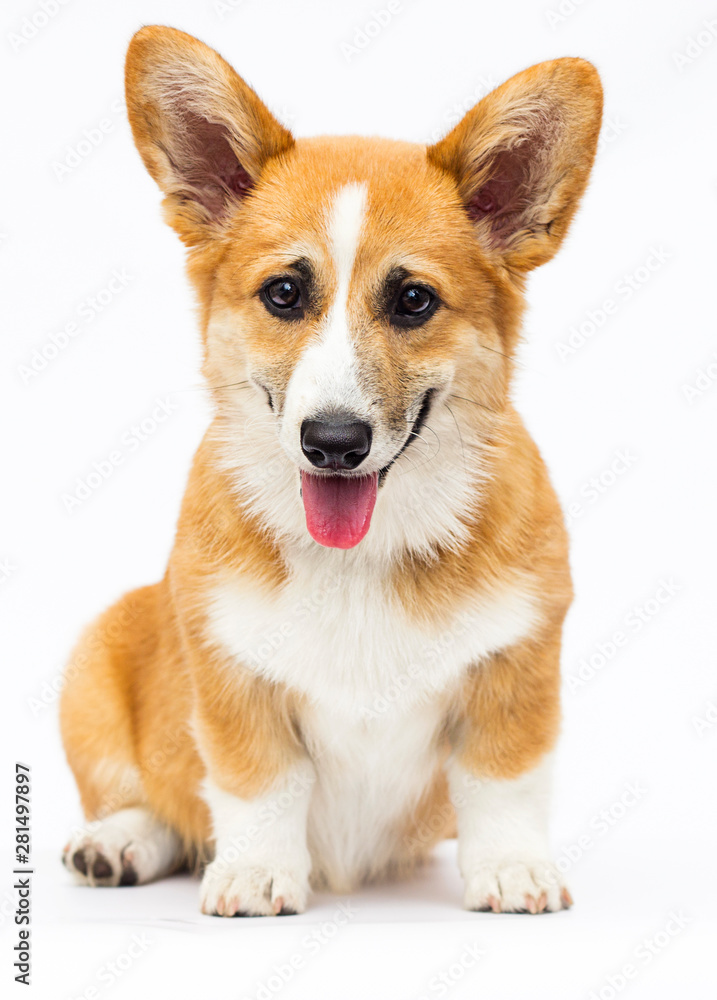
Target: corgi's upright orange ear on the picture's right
522	156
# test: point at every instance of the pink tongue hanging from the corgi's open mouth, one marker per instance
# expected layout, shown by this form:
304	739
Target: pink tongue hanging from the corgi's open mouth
338	508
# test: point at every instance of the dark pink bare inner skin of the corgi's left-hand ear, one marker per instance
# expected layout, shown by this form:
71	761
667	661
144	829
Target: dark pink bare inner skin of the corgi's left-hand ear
210	167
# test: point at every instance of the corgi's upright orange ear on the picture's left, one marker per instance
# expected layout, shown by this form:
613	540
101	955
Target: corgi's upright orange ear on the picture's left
202	132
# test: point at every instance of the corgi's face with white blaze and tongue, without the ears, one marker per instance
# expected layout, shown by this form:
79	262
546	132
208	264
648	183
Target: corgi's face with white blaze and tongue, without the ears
349	296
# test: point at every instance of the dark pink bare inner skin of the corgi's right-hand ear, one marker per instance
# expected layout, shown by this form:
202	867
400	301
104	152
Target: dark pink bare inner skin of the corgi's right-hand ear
505	196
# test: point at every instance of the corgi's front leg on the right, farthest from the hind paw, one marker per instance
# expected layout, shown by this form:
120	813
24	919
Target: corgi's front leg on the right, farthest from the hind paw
500	781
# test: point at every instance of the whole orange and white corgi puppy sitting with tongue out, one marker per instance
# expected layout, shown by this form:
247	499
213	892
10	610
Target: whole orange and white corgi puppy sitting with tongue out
355	649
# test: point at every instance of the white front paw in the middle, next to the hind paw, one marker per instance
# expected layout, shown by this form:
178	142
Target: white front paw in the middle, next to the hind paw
252	890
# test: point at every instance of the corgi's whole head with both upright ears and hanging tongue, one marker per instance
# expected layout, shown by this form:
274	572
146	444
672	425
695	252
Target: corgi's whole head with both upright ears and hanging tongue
360	298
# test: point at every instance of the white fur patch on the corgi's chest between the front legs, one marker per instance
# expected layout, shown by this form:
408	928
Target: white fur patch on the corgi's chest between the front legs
376	687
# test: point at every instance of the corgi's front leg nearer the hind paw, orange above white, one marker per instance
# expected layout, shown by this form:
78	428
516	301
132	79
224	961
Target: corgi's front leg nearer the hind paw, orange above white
258	788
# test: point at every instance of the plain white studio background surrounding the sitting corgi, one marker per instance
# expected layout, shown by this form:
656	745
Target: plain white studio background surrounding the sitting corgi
642	719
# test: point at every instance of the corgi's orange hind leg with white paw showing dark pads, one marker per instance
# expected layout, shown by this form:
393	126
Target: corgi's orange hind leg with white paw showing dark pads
123	842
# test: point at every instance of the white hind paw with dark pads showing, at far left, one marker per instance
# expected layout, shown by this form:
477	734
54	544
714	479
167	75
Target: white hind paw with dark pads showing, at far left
129	847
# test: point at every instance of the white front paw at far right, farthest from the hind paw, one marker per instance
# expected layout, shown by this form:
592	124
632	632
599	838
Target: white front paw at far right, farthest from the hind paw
516	885
